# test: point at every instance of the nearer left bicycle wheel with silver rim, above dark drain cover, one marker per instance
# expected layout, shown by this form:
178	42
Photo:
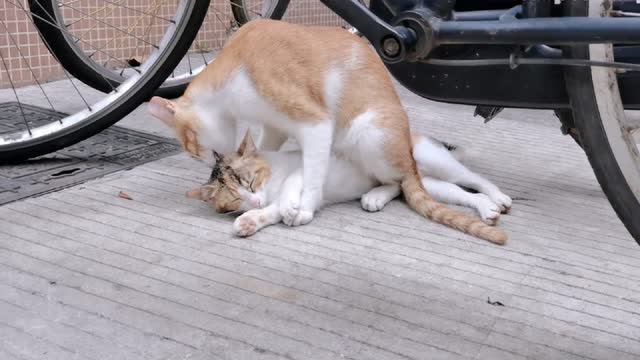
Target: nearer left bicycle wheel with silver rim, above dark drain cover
90	111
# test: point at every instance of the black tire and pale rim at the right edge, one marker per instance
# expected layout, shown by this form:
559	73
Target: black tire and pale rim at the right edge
586	88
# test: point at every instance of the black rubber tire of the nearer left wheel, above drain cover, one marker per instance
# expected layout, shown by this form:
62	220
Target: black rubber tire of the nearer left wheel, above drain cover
114	112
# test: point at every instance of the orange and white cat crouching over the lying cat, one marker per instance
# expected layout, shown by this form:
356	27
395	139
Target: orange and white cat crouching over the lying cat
327	89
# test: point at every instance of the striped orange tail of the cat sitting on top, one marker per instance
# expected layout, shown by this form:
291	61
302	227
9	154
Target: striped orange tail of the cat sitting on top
419	200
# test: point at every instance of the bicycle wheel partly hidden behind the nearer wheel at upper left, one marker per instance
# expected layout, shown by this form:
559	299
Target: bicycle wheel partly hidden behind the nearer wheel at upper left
87	66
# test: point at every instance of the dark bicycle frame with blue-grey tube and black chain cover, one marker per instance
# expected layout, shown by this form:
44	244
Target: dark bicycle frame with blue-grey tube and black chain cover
405	32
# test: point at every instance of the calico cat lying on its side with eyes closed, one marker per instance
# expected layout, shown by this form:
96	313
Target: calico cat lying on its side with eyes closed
262	183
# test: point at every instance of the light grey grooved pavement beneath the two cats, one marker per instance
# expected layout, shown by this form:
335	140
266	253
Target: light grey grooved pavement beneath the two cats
87	275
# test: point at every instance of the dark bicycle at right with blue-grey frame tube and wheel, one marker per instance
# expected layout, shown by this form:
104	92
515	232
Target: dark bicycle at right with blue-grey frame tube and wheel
580	58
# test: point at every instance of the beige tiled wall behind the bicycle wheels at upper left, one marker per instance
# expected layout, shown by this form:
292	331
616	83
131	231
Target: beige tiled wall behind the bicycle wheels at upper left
32	58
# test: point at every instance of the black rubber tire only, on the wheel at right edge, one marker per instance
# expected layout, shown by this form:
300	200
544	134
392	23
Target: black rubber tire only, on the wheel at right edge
593	137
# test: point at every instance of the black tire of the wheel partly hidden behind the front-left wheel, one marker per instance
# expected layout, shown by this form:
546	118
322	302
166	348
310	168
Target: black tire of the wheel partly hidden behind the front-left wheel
78	64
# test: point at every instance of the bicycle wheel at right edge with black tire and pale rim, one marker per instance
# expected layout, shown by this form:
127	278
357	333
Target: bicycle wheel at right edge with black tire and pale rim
609	136
